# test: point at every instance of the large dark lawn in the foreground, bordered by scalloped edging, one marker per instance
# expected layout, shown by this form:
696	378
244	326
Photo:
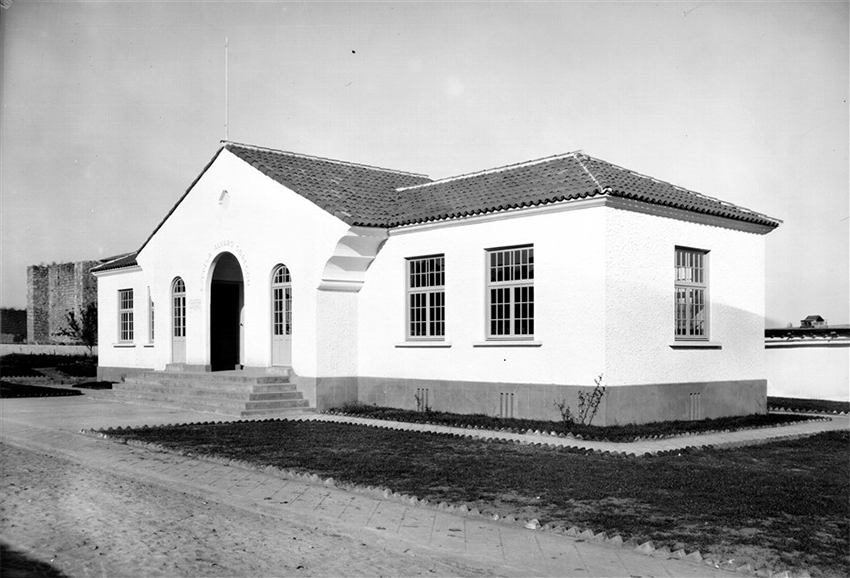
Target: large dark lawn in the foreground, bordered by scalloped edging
782	505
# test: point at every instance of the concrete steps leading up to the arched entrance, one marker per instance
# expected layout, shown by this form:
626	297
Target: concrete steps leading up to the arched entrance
234	393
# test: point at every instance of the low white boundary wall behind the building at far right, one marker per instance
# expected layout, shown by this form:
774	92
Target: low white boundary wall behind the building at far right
809	369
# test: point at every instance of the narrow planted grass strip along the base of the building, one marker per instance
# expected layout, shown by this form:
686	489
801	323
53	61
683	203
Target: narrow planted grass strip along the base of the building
623	433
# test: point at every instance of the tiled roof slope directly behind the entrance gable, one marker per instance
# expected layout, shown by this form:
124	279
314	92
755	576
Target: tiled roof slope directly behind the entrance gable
356	194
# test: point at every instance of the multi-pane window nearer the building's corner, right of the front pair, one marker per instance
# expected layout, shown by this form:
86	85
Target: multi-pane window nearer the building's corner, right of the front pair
510	293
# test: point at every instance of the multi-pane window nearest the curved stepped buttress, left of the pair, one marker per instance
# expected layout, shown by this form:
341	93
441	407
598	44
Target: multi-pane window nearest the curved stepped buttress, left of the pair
426	297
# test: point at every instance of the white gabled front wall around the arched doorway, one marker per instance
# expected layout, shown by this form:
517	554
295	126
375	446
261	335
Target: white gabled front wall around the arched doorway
261	224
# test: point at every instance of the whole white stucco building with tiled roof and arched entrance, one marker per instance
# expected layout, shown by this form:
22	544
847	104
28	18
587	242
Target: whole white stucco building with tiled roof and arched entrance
498	292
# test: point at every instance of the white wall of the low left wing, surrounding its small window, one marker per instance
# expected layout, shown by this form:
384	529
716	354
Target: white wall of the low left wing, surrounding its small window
111	352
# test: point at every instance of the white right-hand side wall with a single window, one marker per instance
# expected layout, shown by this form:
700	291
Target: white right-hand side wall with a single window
639	308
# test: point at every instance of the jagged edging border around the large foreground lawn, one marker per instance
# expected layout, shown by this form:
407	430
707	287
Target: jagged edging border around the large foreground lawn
647	548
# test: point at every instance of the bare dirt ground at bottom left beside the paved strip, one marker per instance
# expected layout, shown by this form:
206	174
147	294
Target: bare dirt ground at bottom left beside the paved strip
89	522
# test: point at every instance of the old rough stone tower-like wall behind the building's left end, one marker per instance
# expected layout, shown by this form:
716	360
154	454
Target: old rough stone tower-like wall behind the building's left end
52	291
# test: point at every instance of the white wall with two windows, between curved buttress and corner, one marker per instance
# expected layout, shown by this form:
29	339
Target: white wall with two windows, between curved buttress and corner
569	255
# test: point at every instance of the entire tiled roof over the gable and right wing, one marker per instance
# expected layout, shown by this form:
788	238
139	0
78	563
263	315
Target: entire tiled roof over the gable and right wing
375	197
